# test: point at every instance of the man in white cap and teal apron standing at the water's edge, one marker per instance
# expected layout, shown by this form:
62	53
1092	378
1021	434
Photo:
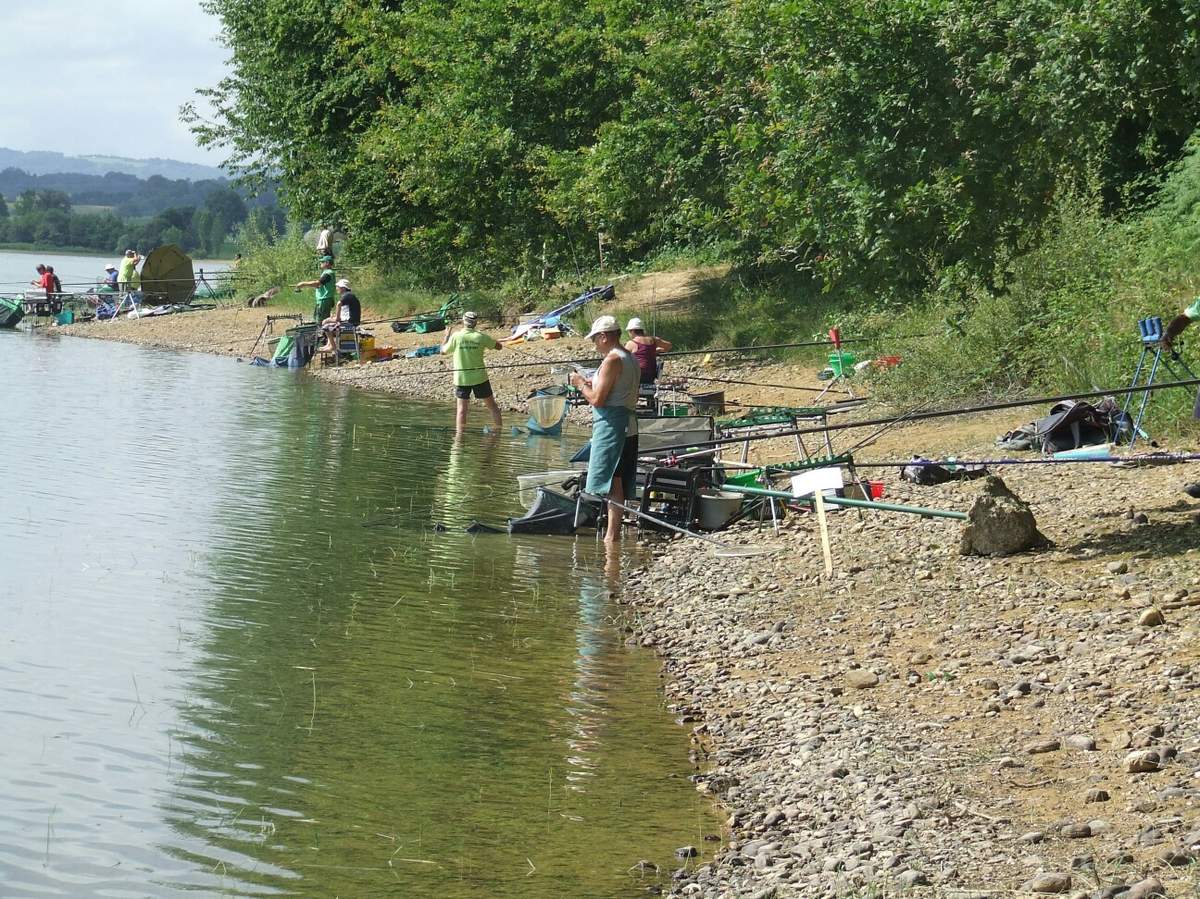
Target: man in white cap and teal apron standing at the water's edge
613	394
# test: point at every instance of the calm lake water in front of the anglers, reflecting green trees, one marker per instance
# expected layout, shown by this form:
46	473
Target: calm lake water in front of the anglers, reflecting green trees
236	660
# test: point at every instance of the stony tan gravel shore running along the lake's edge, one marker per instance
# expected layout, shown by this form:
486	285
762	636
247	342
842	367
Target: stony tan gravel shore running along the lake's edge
920	723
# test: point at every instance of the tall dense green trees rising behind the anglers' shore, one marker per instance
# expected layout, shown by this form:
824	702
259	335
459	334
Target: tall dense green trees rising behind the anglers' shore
868	143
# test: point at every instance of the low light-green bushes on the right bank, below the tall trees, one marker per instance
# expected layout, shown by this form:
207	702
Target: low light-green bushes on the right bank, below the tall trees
1067	320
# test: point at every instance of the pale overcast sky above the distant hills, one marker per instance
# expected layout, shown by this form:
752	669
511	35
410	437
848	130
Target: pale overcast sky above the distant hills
106	76
